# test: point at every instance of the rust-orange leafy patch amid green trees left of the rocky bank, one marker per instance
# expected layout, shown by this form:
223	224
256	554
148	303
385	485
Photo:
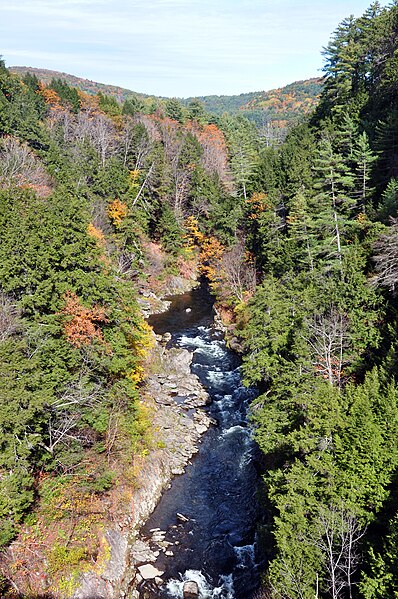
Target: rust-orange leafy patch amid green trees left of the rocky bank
81	326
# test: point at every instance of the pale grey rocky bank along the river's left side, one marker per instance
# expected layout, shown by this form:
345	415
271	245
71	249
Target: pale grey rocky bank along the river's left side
178	427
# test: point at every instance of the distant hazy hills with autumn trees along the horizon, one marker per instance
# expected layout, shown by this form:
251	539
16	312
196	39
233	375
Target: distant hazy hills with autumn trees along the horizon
284	104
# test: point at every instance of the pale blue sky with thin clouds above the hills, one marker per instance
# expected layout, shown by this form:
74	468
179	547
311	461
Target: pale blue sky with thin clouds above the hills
174	47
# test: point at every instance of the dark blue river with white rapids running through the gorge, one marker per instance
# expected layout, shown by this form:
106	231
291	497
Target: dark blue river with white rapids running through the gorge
217	494
